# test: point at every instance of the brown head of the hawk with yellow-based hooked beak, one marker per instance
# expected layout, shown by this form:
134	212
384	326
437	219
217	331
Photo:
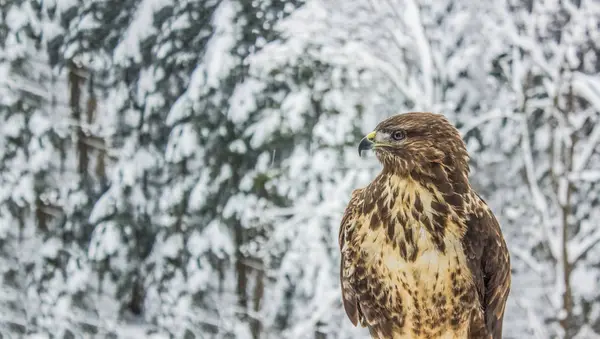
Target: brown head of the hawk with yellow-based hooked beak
415	141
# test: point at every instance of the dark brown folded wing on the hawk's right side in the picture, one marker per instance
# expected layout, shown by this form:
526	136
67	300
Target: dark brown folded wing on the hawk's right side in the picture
489	261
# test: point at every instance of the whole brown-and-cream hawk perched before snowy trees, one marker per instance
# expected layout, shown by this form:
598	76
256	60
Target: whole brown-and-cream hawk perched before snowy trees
422	255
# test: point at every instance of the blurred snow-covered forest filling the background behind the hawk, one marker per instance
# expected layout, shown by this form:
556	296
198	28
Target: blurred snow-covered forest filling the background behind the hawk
179	168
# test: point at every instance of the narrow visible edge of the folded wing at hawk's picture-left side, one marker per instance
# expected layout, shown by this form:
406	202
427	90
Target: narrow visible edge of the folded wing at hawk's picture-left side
346	225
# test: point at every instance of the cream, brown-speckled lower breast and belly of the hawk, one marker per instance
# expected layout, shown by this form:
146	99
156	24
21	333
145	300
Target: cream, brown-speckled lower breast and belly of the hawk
427	284
